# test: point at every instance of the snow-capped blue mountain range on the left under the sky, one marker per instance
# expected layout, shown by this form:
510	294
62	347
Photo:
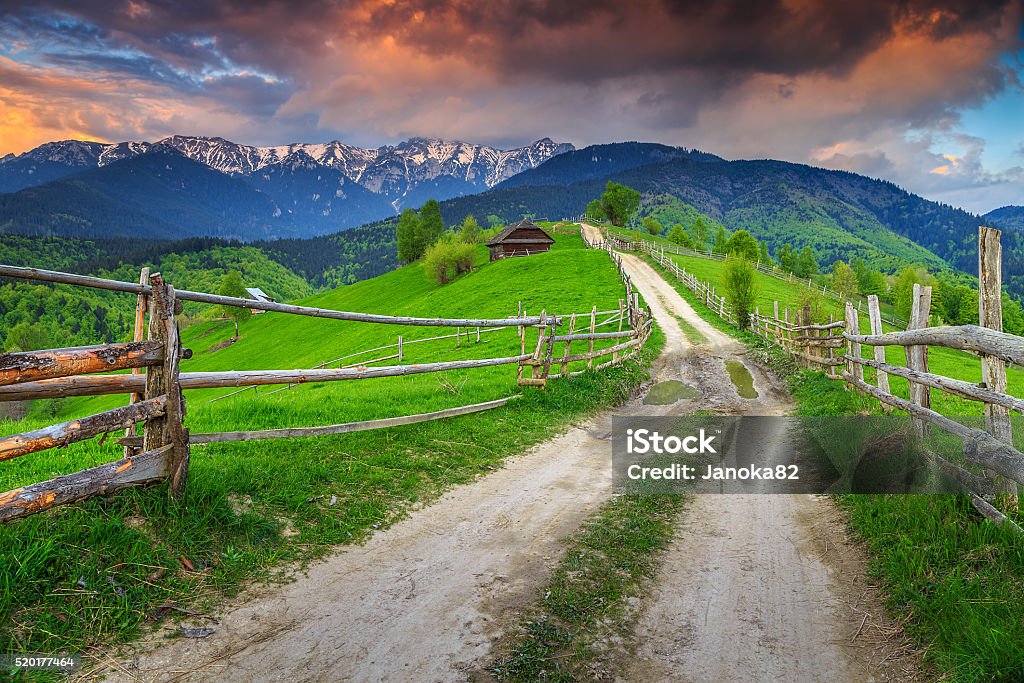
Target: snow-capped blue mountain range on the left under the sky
183	187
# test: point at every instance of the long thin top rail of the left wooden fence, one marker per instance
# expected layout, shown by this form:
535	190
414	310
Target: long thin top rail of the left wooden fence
186	295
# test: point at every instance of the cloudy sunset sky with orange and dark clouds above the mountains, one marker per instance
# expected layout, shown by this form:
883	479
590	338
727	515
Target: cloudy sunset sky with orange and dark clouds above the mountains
926	94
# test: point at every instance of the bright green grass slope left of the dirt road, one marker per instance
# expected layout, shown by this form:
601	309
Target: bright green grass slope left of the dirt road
94	574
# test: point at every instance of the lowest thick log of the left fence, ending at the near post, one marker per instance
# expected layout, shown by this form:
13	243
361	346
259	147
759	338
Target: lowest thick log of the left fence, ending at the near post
138	471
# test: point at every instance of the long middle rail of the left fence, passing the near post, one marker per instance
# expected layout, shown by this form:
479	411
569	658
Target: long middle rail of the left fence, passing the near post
108	385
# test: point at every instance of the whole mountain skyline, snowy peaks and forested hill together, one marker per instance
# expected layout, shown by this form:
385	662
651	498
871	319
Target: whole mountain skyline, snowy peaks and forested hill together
195	187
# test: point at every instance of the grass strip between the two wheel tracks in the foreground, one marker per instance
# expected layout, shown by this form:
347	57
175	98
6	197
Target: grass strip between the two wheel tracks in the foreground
566	635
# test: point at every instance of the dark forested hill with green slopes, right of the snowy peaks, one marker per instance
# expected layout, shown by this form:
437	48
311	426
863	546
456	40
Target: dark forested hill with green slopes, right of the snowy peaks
841	216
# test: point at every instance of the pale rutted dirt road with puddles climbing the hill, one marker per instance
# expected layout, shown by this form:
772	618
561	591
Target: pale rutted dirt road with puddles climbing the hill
424	601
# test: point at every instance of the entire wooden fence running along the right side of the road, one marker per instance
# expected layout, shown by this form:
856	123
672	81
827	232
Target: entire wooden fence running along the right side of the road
837	348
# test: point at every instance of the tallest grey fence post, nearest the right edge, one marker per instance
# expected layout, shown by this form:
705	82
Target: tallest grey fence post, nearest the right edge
994	370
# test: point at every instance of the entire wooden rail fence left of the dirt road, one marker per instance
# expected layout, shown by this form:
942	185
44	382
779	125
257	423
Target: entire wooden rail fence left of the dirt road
157	398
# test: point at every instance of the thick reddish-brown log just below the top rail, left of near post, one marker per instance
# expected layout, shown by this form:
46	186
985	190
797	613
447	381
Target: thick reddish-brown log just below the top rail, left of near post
35	366
